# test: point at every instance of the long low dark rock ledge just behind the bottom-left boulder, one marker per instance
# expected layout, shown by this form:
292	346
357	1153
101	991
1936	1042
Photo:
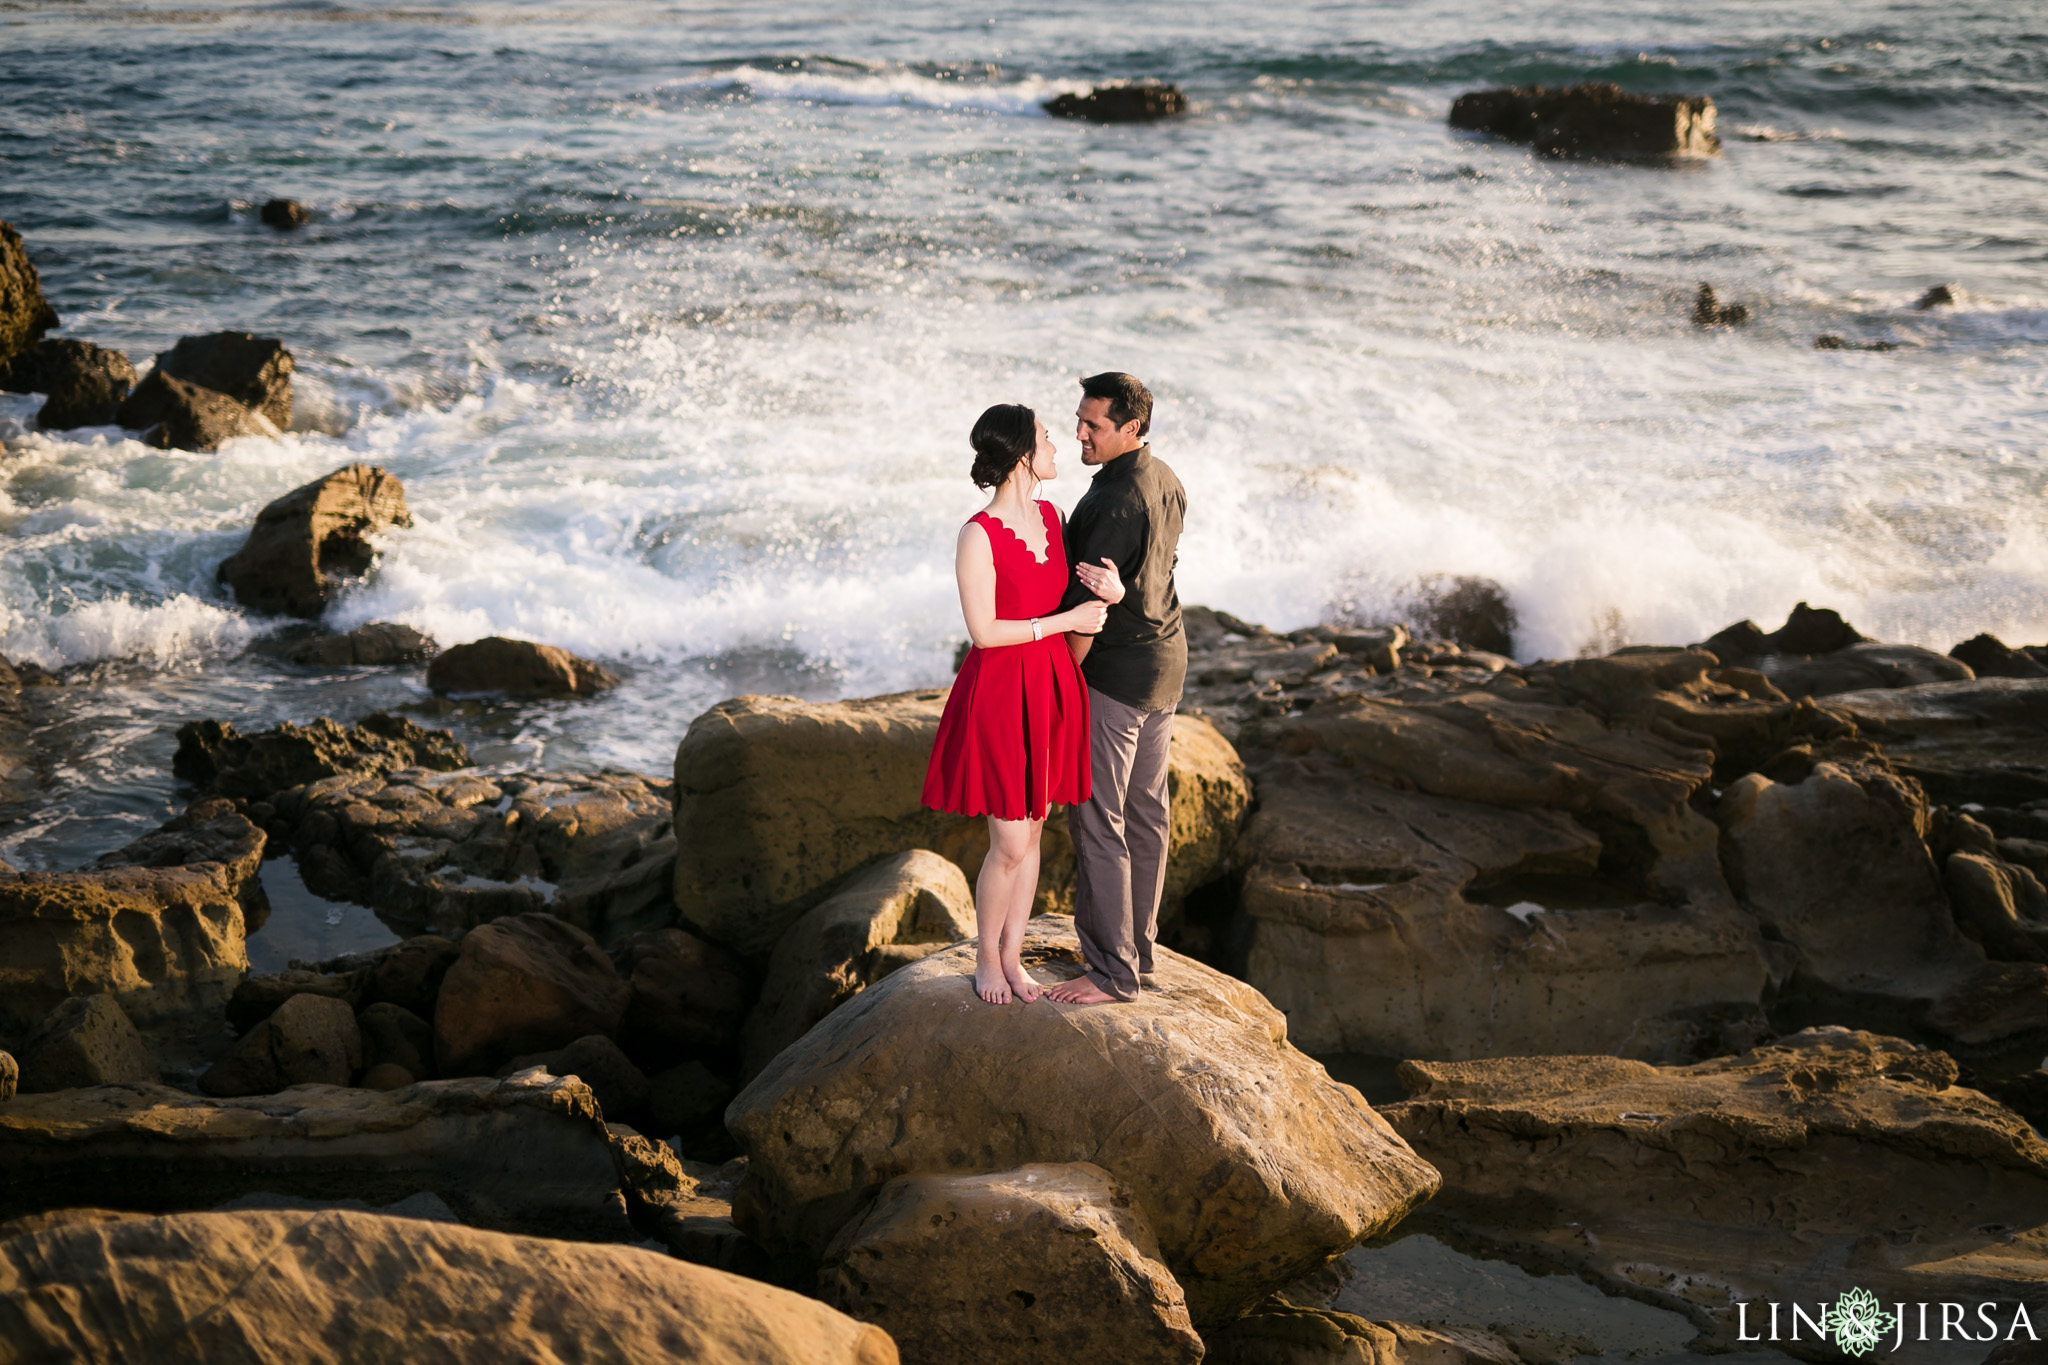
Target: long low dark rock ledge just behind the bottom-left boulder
521	1155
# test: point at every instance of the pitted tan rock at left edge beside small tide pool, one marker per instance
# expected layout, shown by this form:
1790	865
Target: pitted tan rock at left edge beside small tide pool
161	940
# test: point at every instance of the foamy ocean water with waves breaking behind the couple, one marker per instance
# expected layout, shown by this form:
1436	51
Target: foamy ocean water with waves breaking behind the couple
675	316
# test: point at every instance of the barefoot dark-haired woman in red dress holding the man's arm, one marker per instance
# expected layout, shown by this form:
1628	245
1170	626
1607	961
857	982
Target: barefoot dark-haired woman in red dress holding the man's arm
1015	736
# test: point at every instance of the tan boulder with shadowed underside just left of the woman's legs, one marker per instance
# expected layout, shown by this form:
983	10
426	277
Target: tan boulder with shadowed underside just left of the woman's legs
900	910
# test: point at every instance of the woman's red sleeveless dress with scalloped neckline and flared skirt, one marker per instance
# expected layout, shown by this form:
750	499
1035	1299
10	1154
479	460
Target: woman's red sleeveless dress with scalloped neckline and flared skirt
1015	736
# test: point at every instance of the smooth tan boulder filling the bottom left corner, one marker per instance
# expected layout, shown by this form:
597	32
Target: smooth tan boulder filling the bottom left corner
370	1290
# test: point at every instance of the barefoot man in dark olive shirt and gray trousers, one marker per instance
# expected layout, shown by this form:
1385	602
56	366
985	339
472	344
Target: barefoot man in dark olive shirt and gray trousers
1136	668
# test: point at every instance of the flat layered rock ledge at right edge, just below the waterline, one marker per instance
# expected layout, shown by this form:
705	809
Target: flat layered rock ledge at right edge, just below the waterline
1979	742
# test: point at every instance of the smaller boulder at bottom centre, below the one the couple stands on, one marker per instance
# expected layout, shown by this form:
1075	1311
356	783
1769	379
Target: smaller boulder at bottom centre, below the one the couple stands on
1048	1262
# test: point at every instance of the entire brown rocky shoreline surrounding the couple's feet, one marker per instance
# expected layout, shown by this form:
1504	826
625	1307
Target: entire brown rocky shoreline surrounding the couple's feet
1715	975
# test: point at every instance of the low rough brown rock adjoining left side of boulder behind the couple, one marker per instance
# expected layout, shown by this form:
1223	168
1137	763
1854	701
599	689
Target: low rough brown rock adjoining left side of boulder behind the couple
456	850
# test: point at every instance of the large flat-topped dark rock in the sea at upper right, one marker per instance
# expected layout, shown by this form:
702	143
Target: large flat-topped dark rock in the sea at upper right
1592	120
